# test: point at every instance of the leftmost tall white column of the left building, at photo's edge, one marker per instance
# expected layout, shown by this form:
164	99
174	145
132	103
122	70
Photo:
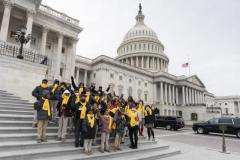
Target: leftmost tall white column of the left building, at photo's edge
5	20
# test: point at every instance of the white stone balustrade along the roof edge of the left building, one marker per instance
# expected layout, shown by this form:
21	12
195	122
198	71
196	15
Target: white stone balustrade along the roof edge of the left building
58	14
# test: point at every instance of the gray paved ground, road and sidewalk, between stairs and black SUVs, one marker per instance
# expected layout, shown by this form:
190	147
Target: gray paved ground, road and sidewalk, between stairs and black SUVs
198	147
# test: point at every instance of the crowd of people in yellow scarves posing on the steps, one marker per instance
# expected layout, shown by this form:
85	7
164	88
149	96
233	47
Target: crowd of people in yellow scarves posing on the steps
87	111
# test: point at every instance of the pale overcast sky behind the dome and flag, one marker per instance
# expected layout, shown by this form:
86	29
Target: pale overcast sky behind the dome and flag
205	31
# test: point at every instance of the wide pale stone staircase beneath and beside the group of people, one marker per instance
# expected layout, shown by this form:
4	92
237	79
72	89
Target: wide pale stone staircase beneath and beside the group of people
18	138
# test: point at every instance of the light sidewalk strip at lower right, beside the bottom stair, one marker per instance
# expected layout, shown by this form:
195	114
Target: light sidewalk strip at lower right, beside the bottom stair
190	152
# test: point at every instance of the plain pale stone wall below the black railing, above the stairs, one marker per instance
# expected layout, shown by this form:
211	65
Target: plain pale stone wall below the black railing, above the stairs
20	77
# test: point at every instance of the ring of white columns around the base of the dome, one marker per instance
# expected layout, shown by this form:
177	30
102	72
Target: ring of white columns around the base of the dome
154	63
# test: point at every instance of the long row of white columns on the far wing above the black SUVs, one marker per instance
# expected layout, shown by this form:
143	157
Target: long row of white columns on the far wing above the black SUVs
169	94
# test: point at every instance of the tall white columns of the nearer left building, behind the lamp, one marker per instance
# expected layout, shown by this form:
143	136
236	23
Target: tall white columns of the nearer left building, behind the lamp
29	24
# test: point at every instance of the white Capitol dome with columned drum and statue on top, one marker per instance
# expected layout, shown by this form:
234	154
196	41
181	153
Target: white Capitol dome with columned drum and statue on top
142	48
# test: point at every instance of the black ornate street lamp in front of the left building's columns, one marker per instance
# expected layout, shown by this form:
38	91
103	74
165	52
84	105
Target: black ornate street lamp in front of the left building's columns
23	39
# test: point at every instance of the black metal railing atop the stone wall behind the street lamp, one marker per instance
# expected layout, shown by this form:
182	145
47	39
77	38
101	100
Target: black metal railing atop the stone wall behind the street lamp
11	50
